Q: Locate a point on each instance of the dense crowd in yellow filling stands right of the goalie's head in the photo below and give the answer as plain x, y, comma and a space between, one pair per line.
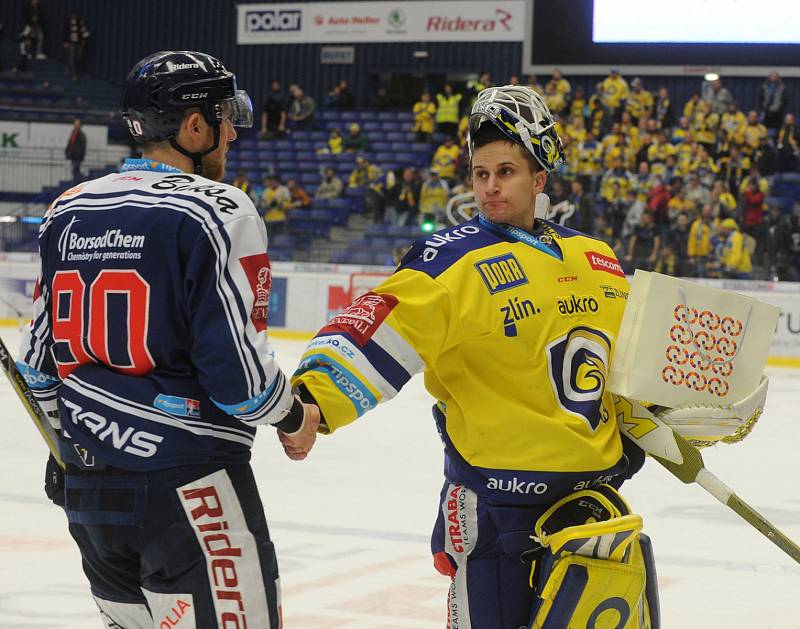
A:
679, 189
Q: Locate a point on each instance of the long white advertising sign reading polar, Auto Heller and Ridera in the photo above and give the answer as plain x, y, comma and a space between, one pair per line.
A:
385, 22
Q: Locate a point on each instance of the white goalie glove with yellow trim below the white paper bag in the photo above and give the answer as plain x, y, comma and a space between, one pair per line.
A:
706, 425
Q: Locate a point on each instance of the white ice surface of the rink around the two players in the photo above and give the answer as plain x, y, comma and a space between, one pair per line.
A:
352, 524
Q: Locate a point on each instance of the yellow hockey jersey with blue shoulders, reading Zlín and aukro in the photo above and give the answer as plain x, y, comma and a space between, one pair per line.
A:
514, 332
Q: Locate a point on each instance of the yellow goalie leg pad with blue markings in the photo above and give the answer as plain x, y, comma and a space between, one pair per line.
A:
596, 565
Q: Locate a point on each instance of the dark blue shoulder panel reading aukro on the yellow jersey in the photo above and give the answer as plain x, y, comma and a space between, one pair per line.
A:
436, 253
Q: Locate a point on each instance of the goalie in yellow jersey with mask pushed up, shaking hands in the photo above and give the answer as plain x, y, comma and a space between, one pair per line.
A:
513, 320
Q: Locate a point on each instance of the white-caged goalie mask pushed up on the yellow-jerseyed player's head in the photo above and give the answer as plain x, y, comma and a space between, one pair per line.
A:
523, 117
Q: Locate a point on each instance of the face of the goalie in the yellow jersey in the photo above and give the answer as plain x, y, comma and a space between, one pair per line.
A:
504, 185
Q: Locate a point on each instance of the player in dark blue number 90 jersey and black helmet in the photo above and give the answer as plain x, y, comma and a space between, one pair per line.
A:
149, 347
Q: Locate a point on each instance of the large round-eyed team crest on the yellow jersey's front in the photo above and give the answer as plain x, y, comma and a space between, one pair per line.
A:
578, 366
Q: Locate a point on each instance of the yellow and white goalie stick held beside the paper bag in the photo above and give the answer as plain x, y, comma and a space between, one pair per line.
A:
685, 462
